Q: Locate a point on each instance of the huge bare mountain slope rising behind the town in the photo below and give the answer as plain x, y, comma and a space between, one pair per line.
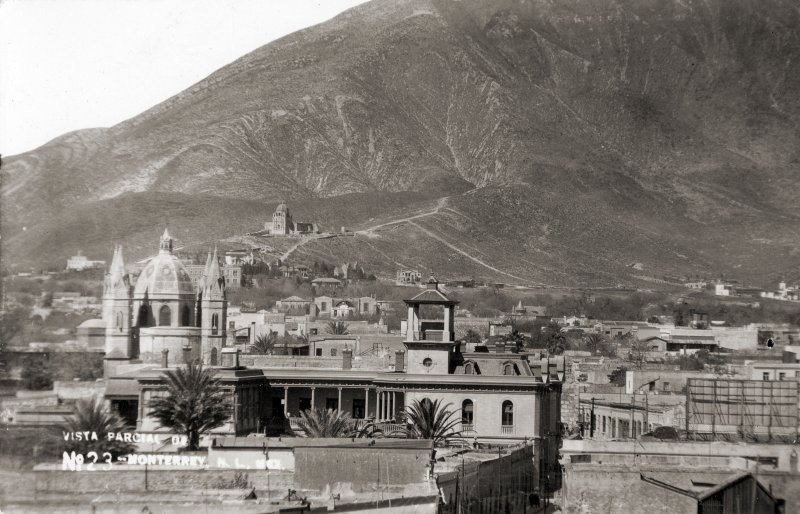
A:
572, 142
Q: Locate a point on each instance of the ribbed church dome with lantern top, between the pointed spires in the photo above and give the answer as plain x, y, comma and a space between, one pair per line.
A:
164, 275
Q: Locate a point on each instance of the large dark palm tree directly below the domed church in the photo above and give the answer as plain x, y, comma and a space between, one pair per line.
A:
195, 403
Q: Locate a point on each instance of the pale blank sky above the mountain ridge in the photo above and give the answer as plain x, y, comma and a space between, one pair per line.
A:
72, 64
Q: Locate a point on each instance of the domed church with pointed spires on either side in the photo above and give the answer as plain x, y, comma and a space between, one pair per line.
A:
163, 310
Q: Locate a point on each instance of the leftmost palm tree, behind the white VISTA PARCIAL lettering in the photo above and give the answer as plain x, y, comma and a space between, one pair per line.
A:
92, 416
